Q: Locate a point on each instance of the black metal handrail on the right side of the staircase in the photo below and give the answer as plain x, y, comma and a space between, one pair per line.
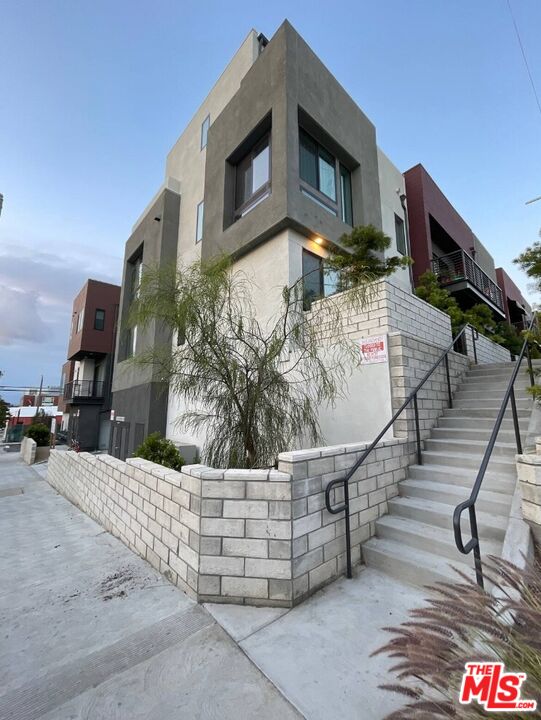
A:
469, 504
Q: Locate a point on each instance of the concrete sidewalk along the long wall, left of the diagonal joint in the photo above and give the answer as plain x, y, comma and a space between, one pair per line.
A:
90, 630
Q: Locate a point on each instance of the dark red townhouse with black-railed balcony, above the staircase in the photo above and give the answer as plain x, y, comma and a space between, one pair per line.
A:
442, 242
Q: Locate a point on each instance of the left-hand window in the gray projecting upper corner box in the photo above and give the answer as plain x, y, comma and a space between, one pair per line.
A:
252, 177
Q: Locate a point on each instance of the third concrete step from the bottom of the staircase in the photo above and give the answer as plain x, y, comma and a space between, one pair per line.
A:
490, 526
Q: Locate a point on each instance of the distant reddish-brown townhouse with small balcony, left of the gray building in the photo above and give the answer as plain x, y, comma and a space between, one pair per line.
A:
87, 374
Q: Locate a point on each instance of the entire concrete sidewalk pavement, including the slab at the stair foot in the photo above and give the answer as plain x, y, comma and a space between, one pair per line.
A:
92, 631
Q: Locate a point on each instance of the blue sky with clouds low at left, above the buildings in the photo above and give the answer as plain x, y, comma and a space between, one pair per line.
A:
93, 95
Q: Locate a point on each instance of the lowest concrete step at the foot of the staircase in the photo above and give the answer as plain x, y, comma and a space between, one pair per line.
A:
410, 565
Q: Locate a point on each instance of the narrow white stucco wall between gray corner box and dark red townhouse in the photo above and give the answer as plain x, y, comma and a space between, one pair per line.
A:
391, 180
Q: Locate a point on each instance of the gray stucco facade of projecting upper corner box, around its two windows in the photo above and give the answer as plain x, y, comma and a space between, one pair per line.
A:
287, 80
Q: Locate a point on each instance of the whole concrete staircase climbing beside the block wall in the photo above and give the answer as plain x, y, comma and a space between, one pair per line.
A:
415, 541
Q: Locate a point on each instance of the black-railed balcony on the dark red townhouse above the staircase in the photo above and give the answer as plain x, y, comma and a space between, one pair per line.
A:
459, 273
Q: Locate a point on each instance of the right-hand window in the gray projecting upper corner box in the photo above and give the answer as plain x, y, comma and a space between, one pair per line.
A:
318, 170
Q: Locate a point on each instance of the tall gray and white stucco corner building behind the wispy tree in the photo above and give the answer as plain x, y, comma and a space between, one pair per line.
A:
275, 166
